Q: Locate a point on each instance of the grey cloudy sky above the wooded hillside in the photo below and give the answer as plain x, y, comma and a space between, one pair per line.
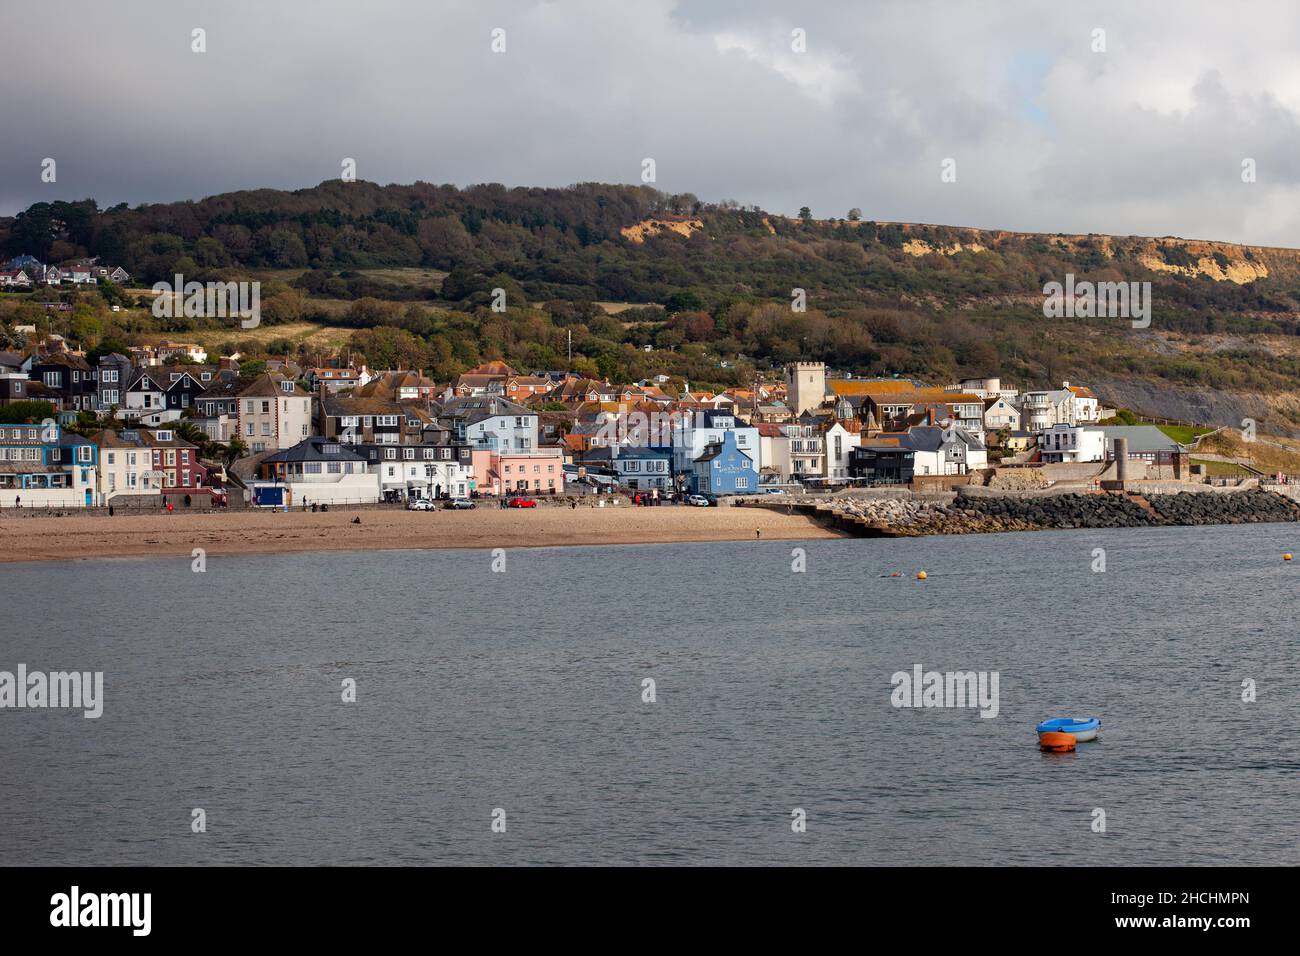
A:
1147, 137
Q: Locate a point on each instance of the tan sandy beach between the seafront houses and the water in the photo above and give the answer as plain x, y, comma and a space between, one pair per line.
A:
262, 533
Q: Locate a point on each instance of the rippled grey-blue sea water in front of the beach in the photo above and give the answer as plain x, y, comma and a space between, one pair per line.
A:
523, 691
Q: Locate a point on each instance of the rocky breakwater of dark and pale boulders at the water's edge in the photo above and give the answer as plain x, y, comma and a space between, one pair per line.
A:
973, 516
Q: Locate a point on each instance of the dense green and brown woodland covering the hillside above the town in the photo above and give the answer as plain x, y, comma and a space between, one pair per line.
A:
717, 305
